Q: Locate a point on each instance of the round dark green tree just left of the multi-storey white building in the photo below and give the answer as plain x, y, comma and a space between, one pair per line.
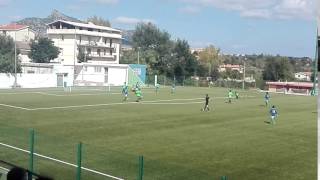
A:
43, 50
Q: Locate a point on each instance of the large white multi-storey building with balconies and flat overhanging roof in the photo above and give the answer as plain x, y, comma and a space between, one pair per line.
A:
100, 44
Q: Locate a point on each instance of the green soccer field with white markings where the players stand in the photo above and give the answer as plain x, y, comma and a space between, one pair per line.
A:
177, 139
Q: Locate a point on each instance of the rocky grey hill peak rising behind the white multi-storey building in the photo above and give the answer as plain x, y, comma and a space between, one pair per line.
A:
39, 24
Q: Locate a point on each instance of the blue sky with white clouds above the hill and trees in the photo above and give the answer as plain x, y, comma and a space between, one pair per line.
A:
284, 27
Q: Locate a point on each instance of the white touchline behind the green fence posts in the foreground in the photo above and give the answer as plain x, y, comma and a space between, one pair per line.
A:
60, 161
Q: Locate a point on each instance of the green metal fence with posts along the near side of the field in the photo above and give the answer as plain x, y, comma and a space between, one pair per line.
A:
60, 158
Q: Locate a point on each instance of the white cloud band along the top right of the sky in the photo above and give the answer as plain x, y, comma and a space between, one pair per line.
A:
267, 9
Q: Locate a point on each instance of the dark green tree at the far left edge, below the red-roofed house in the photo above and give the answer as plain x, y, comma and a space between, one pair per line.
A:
7, 55
